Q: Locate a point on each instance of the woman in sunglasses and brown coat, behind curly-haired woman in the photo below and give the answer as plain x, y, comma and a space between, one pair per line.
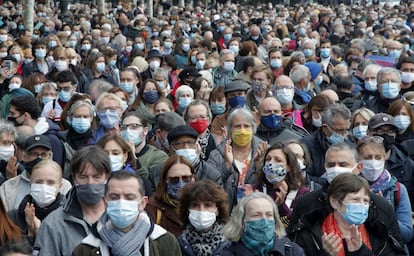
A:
162, 206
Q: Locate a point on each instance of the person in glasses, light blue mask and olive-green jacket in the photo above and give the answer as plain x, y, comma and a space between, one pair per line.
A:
134, 130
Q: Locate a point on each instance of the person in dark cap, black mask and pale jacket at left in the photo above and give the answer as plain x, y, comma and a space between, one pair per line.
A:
12, 192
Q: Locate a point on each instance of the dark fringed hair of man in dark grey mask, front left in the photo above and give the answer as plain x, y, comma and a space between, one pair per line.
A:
90, 155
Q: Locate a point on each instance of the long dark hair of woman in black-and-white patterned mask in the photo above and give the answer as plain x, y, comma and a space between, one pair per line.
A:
294, 177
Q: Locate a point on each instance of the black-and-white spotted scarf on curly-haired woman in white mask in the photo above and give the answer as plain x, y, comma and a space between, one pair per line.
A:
204, 243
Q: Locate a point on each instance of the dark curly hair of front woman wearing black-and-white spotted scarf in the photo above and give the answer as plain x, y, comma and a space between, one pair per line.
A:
203, 191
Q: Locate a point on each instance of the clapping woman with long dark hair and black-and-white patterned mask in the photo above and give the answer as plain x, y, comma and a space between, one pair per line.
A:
279, 176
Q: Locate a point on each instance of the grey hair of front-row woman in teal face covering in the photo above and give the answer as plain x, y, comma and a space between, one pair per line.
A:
233, 230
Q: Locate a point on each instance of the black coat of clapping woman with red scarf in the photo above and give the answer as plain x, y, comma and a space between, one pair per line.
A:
305, 227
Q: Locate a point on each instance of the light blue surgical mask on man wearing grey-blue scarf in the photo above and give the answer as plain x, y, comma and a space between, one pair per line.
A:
122, 213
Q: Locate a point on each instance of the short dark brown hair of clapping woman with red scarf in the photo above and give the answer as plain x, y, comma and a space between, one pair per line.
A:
346, 183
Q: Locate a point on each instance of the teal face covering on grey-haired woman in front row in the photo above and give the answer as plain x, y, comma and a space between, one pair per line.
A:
259, 235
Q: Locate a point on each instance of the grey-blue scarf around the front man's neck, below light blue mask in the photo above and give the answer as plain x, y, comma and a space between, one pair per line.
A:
122, 243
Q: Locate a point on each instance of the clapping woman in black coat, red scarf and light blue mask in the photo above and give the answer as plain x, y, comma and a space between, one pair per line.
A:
346, 219
